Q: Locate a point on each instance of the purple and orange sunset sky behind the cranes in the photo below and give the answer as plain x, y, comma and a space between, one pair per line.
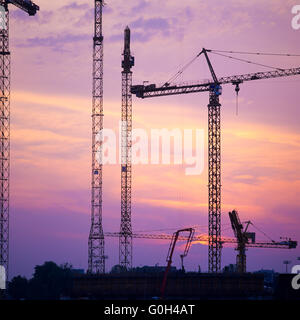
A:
51, 127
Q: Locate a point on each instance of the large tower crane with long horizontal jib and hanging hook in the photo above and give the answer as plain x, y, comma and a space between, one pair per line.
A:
214, 88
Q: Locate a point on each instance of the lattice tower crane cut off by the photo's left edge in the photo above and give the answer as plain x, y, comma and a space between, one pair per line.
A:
31, 9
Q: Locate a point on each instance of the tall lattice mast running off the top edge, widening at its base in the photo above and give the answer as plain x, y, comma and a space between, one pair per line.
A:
96, 258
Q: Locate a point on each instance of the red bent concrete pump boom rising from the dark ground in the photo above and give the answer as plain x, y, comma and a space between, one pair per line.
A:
171, 251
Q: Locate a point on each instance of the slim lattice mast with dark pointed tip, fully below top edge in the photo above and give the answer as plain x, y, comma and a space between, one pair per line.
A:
125, 239
